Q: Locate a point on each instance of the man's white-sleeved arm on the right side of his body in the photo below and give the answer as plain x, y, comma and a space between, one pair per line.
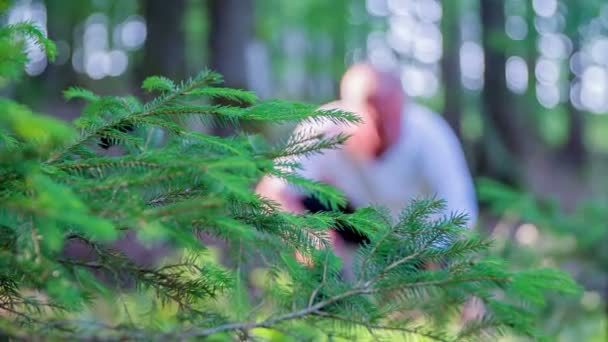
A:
446, 171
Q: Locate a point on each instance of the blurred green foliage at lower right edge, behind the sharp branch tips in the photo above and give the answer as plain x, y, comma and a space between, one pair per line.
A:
574, 240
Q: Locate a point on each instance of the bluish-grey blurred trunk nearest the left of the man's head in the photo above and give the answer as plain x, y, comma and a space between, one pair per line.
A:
230, 32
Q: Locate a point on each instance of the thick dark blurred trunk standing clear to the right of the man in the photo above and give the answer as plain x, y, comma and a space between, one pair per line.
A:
503, 138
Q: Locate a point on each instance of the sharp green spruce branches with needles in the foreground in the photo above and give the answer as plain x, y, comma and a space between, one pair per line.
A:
58, 187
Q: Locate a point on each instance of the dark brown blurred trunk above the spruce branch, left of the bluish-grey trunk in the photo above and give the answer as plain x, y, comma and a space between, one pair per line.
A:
164, 50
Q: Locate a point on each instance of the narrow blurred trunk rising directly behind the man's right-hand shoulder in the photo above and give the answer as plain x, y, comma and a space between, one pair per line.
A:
450, 64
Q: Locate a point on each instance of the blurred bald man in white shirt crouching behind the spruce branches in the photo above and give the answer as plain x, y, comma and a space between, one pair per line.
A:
400, 152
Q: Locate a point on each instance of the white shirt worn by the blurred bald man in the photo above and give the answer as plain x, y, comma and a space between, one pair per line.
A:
426, 161
